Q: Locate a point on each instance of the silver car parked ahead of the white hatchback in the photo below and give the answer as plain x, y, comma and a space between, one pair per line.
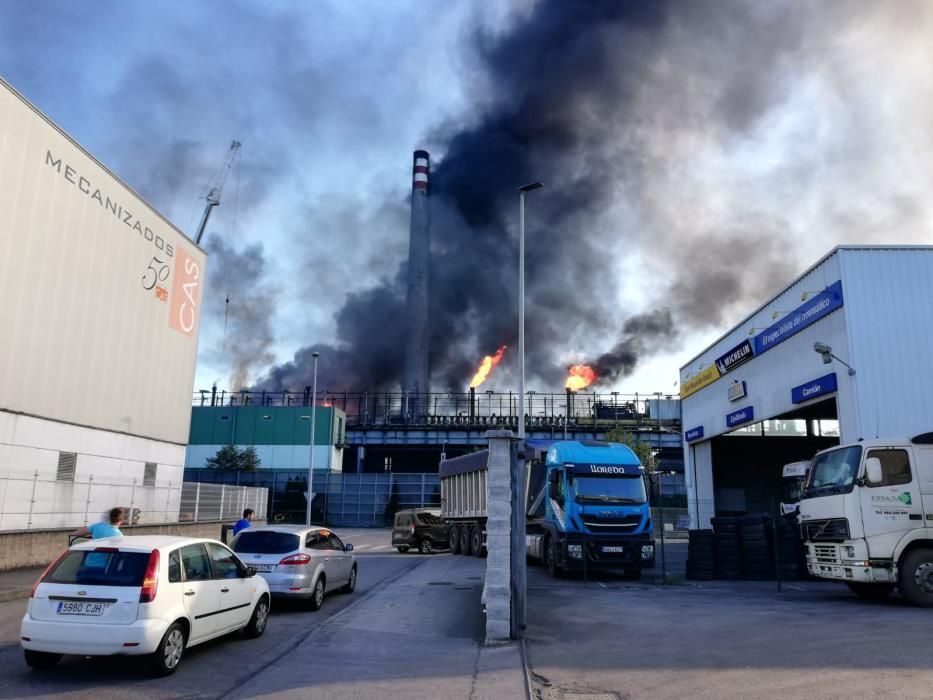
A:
298, 561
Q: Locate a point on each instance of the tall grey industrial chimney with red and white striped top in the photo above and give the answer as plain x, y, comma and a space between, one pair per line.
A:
417, 372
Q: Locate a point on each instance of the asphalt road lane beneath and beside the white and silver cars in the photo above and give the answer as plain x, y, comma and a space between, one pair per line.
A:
212, 670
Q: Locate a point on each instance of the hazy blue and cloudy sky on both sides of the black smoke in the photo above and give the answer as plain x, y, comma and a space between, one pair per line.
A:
761, 140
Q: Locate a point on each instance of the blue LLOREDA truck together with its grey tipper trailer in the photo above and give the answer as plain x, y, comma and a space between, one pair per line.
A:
587, 507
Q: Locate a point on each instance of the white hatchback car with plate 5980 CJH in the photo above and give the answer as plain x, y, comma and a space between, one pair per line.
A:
141, 595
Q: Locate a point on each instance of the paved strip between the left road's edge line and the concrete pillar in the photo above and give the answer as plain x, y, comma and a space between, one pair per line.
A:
420, 637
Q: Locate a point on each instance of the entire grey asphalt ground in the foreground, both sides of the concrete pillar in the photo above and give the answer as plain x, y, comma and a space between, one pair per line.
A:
414, 629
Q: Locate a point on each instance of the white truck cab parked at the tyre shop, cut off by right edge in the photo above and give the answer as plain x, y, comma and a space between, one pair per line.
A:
866, 517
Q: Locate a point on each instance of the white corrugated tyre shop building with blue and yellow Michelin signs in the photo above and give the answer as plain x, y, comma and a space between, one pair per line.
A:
842, 353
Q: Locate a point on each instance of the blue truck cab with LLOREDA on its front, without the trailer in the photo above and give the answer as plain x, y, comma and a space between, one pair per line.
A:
588, 507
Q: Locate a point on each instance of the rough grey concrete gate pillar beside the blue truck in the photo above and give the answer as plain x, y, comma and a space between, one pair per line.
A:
497, 591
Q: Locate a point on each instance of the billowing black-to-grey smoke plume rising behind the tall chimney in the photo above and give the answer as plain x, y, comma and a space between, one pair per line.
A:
632, 113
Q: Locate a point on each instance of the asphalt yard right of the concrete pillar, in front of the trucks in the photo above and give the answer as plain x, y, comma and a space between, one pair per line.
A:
722, 640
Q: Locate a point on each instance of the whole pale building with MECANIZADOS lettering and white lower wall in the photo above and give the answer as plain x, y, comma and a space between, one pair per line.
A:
101, 304
